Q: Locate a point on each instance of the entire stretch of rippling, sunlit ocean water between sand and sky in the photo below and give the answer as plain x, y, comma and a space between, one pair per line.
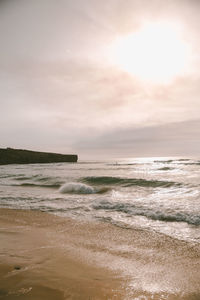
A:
156, 194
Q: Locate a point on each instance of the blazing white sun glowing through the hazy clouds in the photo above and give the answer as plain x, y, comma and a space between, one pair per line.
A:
155, 53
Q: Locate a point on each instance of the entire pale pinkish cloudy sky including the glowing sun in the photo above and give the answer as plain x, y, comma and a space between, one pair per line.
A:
102, 79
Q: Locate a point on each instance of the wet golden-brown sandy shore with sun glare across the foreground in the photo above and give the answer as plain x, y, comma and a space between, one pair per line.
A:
43, 256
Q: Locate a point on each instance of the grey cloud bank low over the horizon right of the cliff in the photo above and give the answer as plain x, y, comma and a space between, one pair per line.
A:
176, 139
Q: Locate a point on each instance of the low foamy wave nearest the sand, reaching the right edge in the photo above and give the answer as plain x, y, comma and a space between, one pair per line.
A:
148, 213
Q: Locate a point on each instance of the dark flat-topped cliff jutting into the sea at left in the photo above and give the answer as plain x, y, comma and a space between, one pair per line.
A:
18, 156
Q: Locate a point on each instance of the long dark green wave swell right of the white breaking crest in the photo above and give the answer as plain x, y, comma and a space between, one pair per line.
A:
126, 182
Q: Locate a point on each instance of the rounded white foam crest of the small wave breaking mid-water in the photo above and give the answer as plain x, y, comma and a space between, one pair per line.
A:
78, 188
